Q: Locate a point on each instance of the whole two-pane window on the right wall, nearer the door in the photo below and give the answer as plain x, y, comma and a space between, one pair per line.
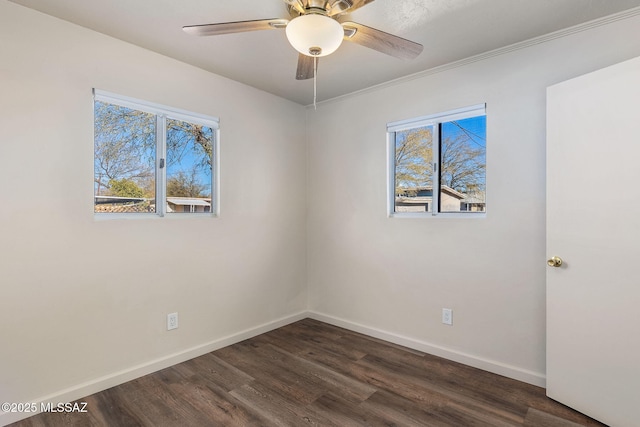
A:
446, 152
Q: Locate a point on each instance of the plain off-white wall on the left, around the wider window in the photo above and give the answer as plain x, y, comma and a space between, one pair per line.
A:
83, 303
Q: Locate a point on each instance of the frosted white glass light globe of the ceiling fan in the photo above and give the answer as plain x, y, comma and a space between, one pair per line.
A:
309, 32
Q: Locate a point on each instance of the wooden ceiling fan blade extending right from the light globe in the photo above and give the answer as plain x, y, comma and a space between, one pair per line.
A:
381, 41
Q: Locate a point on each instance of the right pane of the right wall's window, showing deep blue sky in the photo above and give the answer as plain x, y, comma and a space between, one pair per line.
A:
463, 150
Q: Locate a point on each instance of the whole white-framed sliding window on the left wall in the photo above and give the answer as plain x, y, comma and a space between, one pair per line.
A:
151, 159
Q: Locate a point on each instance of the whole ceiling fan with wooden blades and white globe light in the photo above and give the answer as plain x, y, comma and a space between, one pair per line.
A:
317, 28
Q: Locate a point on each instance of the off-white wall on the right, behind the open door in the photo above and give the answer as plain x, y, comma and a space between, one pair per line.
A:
391, 277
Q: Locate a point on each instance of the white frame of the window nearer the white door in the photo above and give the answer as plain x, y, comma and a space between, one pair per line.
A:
433, 120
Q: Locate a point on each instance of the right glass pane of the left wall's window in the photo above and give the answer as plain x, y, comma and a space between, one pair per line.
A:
189, 161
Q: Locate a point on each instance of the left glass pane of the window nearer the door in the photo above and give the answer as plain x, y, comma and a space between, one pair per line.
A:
413, 170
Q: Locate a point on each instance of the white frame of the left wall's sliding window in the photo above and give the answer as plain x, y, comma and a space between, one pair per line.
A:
162, 114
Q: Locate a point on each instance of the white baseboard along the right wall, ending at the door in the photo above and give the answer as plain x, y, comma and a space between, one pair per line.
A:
499, 368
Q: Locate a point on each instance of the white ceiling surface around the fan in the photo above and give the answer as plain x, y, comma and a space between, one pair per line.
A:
450, 30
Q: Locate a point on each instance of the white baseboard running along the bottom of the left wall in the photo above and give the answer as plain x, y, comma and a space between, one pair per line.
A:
111, 380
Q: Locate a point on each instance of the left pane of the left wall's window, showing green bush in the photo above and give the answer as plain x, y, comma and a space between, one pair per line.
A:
124, 160
